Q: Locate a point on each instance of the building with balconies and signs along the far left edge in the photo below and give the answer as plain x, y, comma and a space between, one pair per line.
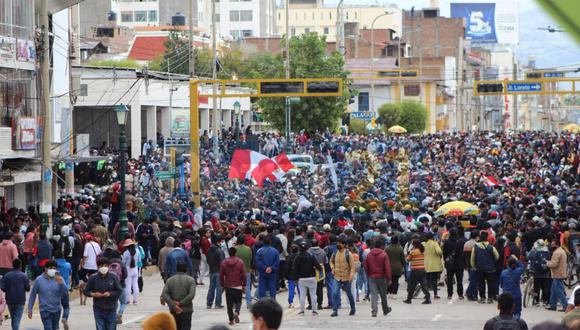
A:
19, 184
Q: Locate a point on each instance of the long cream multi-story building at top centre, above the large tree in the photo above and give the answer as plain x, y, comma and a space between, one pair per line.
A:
313, 16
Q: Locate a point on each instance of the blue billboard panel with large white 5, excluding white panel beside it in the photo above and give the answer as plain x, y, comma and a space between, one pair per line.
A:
480, 21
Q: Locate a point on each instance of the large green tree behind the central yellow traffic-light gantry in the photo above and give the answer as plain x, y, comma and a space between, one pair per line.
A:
308, 59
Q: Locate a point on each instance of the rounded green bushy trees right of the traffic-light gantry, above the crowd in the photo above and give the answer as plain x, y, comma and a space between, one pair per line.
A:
409, 114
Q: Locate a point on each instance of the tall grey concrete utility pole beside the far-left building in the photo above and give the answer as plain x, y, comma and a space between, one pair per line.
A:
46, 204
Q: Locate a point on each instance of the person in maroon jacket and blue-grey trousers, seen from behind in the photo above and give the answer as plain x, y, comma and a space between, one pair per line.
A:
378, 268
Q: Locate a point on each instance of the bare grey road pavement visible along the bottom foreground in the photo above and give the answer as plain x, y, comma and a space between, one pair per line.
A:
441, 314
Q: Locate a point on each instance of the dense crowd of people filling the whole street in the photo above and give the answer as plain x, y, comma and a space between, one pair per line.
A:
299, 235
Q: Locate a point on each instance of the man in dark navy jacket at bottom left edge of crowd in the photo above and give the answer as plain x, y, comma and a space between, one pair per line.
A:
15, 284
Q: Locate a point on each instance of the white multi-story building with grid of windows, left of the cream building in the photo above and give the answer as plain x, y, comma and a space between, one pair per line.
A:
238, 19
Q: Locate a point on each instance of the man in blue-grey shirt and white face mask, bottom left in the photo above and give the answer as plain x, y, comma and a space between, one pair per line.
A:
53, 298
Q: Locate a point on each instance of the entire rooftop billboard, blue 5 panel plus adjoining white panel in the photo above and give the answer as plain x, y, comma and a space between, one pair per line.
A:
489, 22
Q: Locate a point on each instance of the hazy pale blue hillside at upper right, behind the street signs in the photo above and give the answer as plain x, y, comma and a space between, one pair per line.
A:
550, 49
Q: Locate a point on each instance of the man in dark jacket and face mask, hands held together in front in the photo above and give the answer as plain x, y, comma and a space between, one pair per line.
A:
105, 289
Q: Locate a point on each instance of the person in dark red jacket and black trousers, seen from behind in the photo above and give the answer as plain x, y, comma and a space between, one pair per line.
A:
233, 280
